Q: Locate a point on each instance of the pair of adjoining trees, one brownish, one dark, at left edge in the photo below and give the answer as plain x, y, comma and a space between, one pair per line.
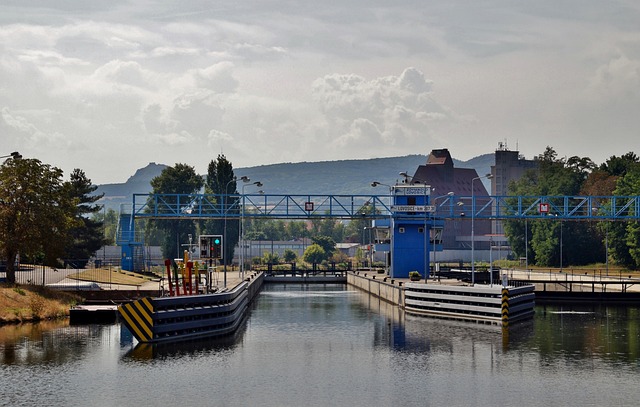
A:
45, 219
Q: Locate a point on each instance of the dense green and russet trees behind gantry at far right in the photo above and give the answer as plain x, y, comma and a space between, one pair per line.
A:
553, 244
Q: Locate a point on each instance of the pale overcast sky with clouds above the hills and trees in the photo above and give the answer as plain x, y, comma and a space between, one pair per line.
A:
109, 86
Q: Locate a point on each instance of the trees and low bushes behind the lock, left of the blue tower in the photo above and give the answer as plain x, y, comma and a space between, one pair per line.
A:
221, 180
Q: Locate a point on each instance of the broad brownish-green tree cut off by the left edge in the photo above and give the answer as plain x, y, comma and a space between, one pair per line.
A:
36, 212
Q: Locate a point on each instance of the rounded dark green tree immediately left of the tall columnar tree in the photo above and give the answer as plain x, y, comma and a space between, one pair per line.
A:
179, 179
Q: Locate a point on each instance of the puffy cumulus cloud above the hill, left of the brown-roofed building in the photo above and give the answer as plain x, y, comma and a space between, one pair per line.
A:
381, 112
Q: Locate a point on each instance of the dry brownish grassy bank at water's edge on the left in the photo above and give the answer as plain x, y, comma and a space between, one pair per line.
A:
32, 303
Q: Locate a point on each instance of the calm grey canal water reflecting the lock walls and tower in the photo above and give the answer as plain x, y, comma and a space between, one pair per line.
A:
329, 345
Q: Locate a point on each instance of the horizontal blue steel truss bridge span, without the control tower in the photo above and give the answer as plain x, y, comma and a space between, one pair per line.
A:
206, 206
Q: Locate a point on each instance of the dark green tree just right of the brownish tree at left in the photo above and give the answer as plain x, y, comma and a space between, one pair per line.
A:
88, 235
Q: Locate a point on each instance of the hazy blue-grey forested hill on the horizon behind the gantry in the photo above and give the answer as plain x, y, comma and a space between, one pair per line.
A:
344, 177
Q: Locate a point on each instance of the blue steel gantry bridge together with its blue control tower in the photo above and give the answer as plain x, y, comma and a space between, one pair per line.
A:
410, 217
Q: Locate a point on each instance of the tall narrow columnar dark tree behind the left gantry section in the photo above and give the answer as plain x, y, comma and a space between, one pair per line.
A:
222, 181
